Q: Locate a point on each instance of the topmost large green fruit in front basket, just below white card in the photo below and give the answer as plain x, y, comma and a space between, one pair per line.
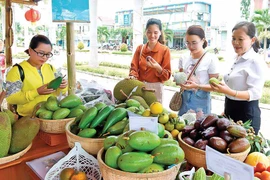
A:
143, 140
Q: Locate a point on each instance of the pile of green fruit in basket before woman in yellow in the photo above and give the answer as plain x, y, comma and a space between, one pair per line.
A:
53, 109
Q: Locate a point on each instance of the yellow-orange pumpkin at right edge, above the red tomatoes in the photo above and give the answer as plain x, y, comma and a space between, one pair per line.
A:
255, 157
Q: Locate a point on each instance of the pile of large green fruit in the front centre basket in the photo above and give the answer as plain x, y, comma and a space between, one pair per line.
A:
141, 152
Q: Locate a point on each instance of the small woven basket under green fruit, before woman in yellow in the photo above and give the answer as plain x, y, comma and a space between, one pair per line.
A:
54, 126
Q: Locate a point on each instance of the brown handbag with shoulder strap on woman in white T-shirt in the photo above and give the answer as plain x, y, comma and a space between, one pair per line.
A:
176, 101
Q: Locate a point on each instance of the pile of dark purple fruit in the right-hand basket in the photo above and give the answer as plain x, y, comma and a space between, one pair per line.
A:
218, 132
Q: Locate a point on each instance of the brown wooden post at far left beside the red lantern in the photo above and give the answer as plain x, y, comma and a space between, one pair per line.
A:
8, 33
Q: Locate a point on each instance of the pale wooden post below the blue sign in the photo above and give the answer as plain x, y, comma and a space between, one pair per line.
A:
71, 70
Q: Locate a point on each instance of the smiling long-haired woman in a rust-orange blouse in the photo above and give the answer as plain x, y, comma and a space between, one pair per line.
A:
151, 62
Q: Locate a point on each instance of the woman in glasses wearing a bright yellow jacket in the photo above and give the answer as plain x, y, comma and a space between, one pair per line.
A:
28, 91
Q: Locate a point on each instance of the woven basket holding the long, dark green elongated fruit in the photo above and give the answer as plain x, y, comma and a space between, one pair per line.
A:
90, 145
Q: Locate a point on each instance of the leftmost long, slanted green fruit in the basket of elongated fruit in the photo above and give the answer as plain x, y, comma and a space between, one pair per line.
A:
88, 117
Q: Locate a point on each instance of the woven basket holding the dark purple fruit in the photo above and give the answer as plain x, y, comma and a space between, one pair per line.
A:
196, 157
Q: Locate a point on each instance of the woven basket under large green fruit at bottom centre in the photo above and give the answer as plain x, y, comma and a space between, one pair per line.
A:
109, 173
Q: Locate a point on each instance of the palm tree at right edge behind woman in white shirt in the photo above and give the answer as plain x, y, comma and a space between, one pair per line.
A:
261, 19
